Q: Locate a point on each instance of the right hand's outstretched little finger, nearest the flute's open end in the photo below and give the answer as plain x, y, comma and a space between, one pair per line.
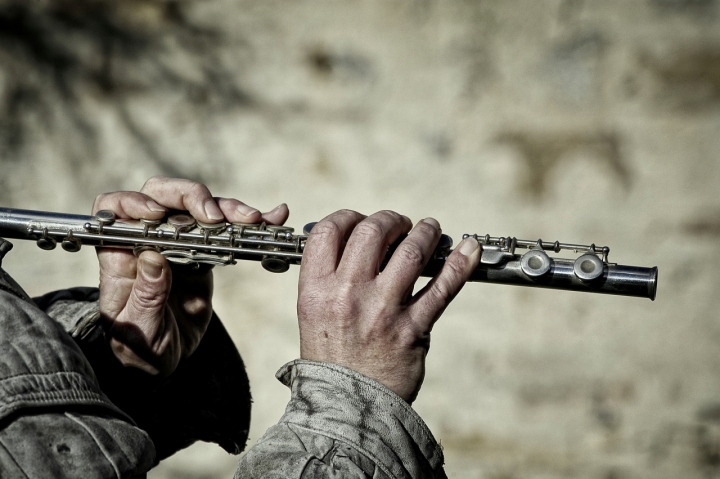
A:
429, 303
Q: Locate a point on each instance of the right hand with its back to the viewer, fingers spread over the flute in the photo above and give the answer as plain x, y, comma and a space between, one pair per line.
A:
351, 314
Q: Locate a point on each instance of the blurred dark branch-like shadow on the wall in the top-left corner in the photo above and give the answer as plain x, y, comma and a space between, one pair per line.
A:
58, 57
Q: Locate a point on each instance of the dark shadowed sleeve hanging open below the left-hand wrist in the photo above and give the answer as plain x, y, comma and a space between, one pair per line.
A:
207, 398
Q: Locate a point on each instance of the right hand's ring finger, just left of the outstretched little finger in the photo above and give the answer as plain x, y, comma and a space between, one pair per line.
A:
409, 259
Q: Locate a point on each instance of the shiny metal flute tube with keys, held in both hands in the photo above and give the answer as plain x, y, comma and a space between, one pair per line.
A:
48, 228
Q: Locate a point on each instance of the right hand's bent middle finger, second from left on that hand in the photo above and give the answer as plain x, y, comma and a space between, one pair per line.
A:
368, 244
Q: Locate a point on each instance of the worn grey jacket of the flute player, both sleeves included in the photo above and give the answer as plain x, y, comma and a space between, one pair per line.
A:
69, 409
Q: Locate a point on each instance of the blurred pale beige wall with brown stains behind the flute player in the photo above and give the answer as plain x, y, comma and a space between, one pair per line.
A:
562, 119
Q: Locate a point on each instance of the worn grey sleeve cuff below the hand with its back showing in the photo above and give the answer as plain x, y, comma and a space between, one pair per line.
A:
341, 424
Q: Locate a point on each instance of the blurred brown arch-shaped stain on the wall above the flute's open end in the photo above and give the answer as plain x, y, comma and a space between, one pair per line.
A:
541, 152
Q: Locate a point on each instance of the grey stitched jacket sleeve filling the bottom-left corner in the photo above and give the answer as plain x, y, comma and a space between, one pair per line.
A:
55, 421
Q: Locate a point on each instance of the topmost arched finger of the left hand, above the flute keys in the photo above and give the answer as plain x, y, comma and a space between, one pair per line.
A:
181, 194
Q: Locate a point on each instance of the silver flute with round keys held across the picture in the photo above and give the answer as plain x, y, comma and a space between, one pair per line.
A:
184, 240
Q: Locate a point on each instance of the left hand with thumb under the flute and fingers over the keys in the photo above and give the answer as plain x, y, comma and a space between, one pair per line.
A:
155, 315
